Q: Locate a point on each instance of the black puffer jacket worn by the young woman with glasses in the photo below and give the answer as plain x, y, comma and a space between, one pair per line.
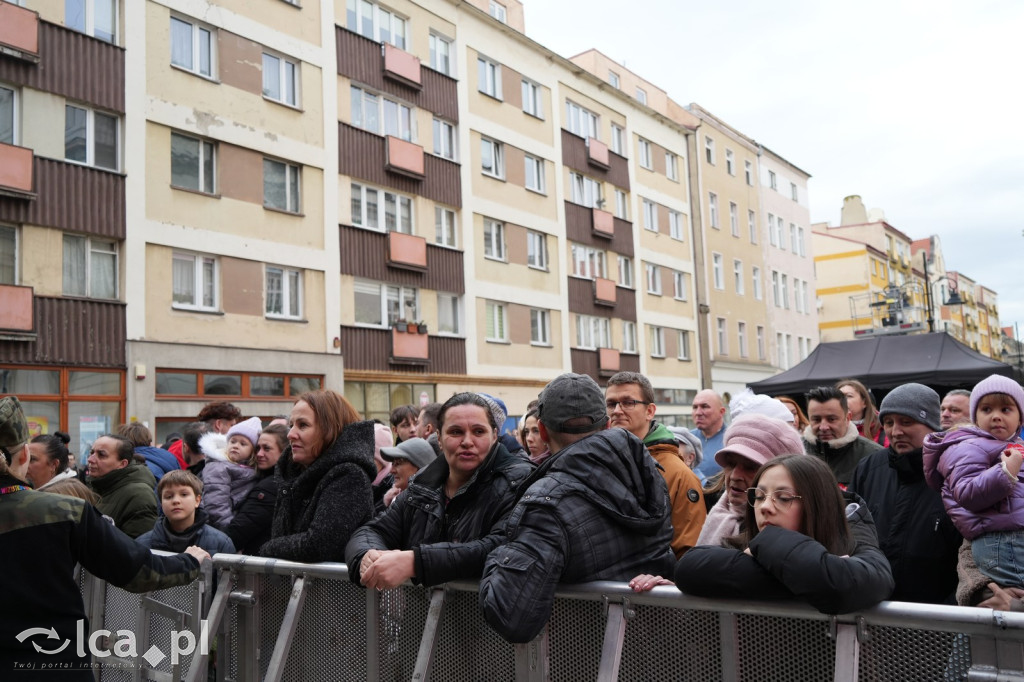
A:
787, 565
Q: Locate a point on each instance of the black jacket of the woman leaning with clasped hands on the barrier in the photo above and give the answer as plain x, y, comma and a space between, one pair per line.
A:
449, 543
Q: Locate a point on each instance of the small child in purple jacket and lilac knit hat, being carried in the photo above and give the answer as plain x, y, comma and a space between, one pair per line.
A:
977, 468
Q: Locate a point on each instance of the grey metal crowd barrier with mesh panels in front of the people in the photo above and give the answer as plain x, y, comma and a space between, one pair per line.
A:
285, 621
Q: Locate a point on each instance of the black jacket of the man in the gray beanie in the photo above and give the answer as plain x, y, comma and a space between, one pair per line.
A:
915, 531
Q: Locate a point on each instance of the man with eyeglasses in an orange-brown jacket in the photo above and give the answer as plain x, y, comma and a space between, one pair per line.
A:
630, 401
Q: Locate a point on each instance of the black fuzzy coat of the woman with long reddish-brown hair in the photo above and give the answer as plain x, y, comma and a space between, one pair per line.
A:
320, 507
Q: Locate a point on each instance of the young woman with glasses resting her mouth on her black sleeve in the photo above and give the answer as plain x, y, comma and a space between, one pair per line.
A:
802, 539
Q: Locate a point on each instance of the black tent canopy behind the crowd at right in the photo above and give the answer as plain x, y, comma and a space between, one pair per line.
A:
887, 362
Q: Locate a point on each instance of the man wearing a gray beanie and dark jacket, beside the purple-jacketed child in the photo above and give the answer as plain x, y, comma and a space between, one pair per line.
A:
915, 532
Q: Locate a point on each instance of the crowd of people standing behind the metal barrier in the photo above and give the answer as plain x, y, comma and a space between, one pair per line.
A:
843, 506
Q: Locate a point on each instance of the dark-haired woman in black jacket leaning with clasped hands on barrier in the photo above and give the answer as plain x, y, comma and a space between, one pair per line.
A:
444, 526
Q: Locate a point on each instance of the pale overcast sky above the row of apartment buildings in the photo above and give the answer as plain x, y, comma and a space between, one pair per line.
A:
917, 107
